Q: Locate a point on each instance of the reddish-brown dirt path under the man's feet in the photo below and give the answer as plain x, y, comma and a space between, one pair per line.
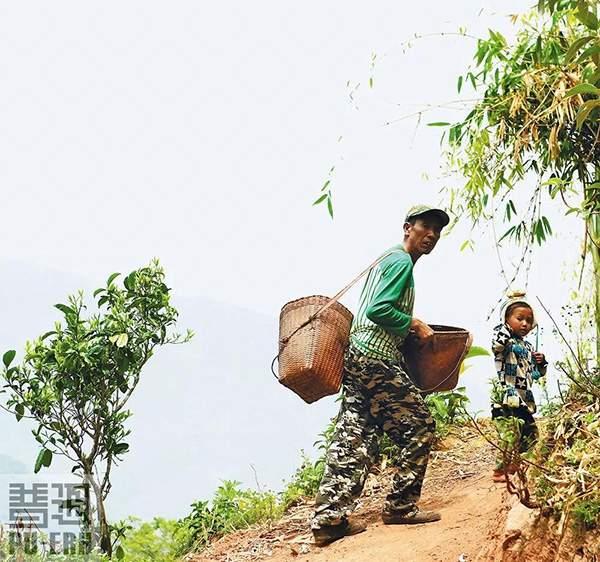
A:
458, 484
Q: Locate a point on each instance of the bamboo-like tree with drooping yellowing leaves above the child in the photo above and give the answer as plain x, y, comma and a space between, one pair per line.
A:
534, 127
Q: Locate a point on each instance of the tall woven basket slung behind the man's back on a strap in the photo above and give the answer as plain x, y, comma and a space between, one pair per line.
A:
311, 358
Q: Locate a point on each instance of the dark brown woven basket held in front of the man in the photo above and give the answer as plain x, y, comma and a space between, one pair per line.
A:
435, 365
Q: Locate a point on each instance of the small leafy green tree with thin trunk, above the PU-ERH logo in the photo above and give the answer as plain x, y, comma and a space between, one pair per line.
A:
75, 382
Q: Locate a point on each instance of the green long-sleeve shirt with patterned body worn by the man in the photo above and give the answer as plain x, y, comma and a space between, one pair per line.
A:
385, 308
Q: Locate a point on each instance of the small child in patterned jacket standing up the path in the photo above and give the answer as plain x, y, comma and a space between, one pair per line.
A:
517, 366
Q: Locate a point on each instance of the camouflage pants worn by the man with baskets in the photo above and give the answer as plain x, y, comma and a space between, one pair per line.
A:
378, 396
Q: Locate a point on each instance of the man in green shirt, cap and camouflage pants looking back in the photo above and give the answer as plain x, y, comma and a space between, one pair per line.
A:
378, 394
